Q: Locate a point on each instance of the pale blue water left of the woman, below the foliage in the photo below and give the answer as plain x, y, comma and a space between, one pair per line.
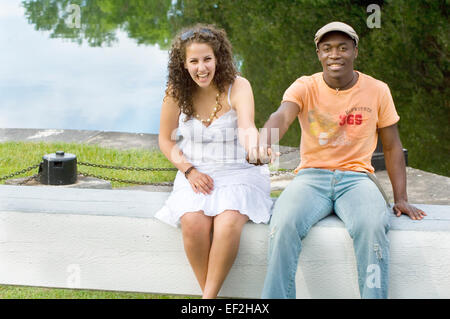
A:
55, 83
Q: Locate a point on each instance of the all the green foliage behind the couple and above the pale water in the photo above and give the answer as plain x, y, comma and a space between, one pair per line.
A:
273, 42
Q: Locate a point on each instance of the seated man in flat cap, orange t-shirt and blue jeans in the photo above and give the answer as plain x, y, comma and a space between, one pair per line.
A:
341, 112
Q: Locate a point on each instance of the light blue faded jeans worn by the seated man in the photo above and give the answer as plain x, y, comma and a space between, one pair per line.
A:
312, 195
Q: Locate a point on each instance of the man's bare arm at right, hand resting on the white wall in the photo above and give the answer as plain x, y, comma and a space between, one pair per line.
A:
395, 165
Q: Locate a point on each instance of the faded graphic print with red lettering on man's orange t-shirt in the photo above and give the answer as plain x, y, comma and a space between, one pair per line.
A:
340, 129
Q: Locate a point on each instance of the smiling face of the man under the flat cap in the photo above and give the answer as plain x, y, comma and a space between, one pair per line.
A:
336, 52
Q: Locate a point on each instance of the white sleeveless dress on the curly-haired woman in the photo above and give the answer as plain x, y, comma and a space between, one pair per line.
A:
216, 151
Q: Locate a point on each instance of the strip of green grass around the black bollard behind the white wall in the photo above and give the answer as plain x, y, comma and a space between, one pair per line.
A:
15, 156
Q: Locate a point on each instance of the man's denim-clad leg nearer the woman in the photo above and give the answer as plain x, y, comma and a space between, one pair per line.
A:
302, 204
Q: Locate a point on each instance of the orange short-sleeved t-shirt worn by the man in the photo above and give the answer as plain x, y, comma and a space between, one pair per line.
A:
339, 128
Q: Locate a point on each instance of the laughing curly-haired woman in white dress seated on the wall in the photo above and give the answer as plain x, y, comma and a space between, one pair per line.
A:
216, 191
